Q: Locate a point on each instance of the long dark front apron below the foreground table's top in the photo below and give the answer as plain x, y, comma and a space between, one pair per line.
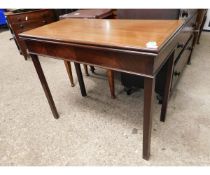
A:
126, 61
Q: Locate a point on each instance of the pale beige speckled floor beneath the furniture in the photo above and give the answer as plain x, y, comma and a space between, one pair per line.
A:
98, 130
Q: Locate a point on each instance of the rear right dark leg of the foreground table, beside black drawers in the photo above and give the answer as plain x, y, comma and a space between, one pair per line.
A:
169, 74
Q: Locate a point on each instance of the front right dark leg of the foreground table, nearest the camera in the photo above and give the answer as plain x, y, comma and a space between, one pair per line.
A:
149, 84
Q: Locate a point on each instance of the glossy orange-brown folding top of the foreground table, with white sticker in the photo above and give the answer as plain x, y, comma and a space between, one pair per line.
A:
123, 34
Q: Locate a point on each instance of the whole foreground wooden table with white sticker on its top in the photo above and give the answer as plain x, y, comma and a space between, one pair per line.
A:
114, 44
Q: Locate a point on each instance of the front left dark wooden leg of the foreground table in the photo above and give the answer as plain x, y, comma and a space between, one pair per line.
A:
45, 87
